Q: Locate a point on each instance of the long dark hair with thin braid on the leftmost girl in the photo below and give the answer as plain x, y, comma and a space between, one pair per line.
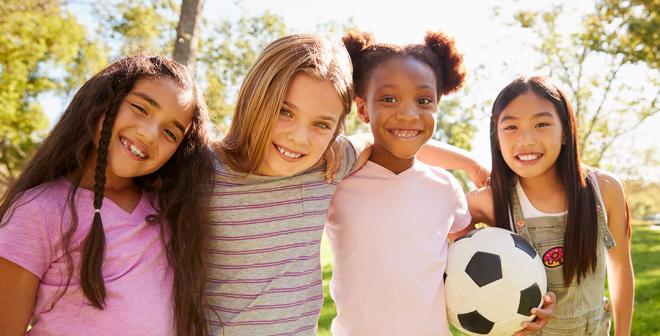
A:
179, 195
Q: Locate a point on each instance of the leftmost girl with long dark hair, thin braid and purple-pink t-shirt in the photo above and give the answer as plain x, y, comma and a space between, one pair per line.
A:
102, 232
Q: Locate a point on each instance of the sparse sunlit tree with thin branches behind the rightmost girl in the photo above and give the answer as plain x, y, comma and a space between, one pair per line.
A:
596, 76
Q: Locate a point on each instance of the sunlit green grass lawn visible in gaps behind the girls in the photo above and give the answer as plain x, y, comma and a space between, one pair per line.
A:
646, 260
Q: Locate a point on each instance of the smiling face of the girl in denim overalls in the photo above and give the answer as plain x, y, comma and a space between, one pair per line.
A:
530, 135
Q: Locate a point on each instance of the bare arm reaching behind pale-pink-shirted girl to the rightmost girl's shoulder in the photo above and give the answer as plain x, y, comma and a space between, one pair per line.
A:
436, 153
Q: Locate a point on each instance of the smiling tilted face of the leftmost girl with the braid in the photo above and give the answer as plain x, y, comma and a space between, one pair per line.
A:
150, 124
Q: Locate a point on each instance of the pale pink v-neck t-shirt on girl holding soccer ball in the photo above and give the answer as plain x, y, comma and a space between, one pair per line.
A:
388, 234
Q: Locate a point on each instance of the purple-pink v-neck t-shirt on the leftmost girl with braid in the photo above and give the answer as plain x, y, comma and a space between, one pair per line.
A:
137, 276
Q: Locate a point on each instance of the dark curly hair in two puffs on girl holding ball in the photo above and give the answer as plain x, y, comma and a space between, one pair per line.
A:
438, 52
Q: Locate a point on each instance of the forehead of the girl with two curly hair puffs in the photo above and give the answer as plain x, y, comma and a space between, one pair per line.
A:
402, 70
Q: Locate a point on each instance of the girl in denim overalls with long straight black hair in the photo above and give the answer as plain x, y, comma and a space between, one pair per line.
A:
575, 217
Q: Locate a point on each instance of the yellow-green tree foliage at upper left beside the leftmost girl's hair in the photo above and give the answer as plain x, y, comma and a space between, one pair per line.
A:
43, 49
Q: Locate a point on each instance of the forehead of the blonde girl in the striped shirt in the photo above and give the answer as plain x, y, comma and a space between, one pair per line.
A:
313, 96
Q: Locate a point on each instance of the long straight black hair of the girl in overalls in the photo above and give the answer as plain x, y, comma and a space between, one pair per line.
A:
580, 238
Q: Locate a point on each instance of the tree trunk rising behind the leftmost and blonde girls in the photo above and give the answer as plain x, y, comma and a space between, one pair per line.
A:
185, 45
